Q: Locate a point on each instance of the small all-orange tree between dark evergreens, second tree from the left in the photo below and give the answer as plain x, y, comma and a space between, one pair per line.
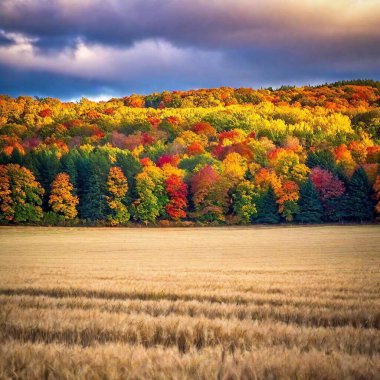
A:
62, 200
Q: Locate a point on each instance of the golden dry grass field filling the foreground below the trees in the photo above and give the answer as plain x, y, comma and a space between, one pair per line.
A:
208, 303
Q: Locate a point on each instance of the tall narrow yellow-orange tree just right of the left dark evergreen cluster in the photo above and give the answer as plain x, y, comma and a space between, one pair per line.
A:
117, 186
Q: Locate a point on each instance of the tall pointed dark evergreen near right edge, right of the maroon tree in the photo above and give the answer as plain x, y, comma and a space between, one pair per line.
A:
359, 197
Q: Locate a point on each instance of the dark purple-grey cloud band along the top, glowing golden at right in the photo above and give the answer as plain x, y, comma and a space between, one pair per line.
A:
210, 24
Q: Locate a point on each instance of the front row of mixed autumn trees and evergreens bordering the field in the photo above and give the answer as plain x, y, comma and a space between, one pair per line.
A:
111, 186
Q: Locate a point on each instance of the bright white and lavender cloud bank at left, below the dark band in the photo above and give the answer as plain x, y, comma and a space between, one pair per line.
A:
146, 59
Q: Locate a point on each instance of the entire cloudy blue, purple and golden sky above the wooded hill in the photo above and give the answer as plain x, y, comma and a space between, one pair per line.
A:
105, 48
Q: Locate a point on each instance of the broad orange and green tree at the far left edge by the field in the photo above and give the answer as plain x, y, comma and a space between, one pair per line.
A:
20, 195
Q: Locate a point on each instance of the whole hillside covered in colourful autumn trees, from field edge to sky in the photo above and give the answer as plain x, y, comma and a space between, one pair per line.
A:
209, 156
